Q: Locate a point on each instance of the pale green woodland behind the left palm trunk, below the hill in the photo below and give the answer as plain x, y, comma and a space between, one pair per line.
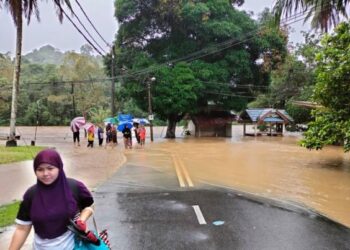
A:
44, 98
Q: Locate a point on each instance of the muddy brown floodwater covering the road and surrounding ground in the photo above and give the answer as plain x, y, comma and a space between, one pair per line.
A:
275, 167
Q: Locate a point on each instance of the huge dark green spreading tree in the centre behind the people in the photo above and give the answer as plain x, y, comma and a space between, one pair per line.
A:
219, 44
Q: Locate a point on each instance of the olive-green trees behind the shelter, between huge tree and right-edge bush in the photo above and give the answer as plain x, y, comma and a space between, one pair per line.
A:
292, 80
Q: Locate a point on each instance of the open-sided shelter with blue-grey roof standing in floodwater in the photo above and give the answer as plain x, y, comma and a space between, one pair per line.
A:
269, 121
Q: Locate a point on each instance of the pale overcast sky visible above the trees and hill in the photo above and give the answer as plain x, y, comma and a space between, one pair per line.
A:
101, 12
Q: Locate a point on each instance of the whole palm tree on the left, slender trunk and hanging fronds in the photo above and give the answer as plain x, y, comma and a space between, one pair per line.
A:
17, 9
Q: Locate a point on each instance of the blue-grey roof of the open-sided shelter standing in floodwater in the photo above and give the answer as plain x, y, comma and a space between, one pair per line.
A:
266, 115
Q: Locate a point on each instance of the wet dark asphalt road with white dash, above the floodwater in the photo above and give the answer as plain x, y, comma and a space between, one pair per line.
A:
144, 208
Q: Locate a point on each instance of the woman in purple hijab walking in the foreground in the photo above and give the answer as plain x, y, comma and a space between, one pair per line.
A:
50, 204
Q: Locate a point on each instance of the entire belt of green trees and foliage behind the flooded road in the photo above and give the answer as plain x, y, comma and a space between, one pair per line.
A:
194, 56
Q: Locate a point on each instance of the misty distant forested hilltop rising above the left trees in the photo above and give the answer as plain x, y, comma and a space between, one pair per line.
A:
45, 55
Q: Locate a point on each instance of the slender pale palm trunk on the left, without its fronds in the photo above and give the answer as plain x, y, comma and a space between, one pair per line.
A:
16, 74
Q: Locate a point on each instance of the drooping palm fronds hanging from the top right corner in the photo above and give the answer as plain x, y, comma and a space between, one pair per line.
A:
325, 14
